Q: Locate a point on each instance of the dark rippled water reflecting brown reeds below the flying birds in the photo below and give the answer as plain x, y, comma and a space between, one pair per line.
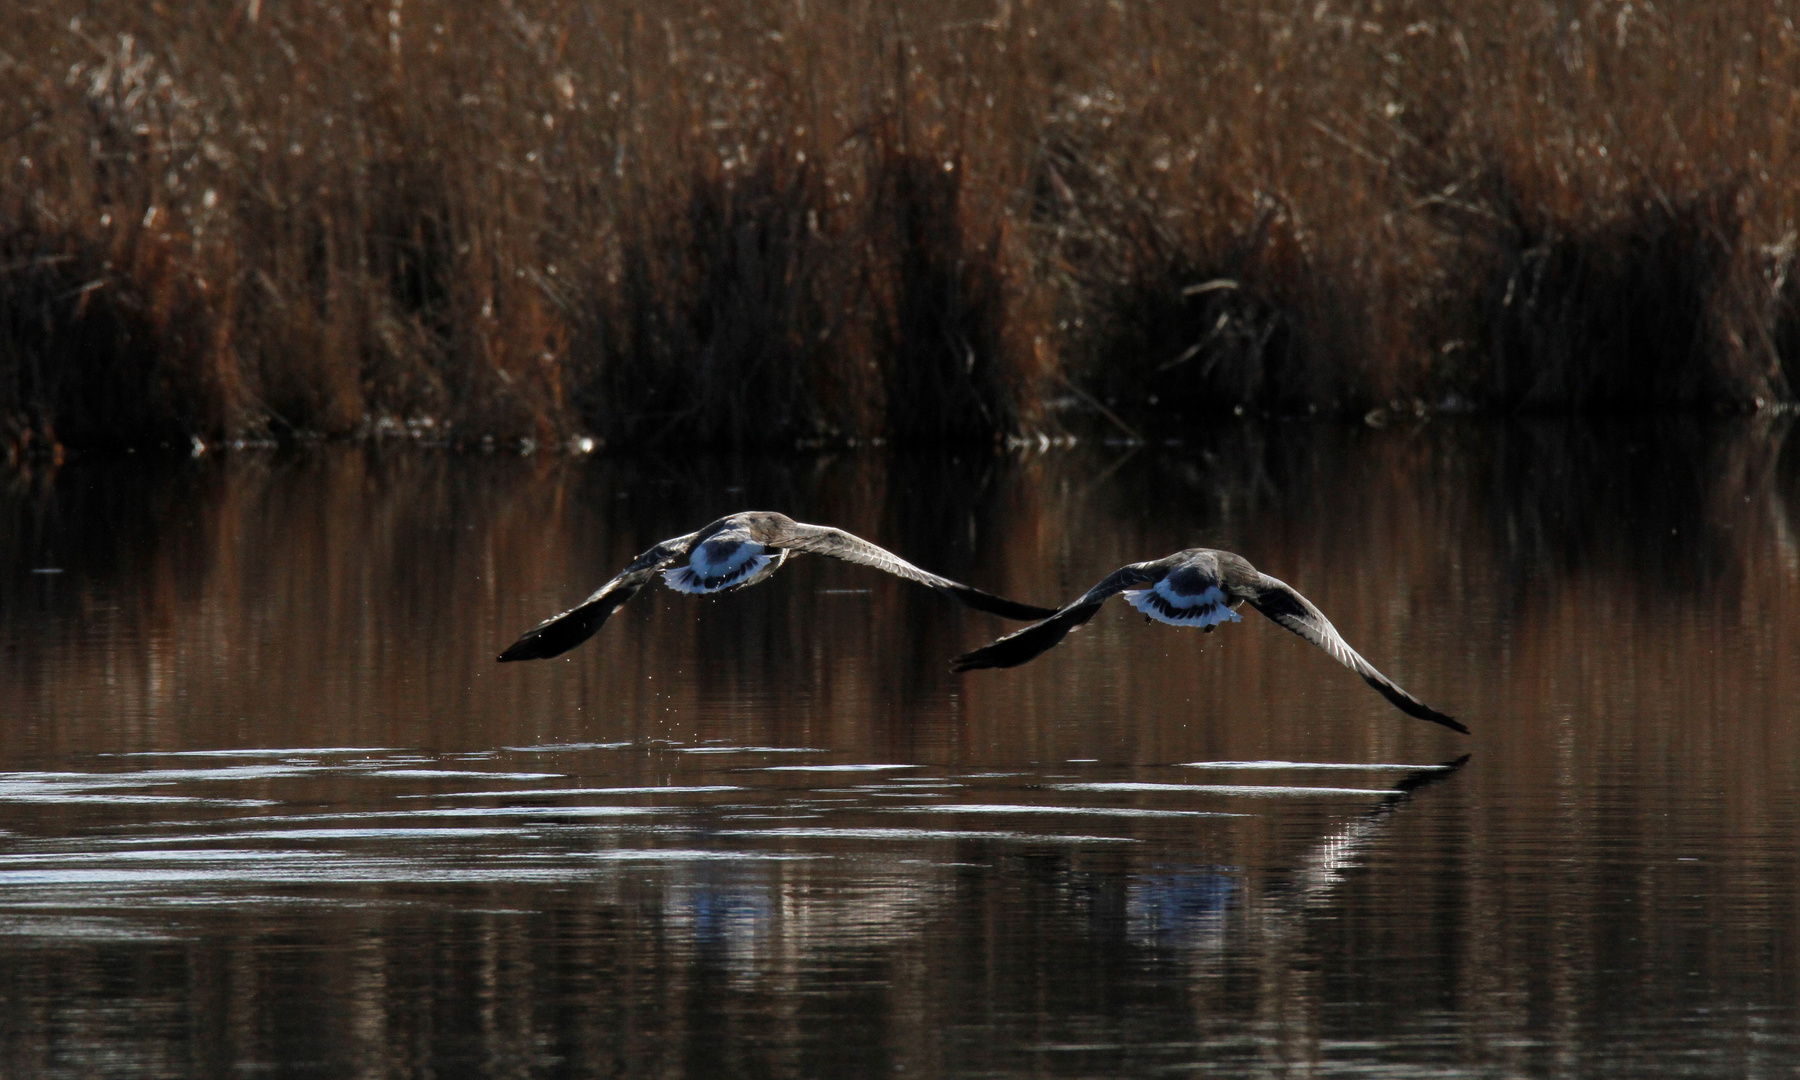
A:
267, 805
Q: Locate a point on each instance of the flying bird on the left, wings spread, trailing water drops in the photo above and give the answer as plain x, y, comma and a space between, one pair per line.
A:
732, 553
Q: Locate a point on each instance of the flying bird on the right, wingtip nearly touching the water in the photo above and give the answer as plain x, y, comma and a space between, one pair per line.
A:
1198, 588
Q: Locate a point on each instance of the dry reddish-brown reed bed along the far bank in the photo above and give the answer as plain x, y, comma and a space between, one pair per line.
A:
928, 222
